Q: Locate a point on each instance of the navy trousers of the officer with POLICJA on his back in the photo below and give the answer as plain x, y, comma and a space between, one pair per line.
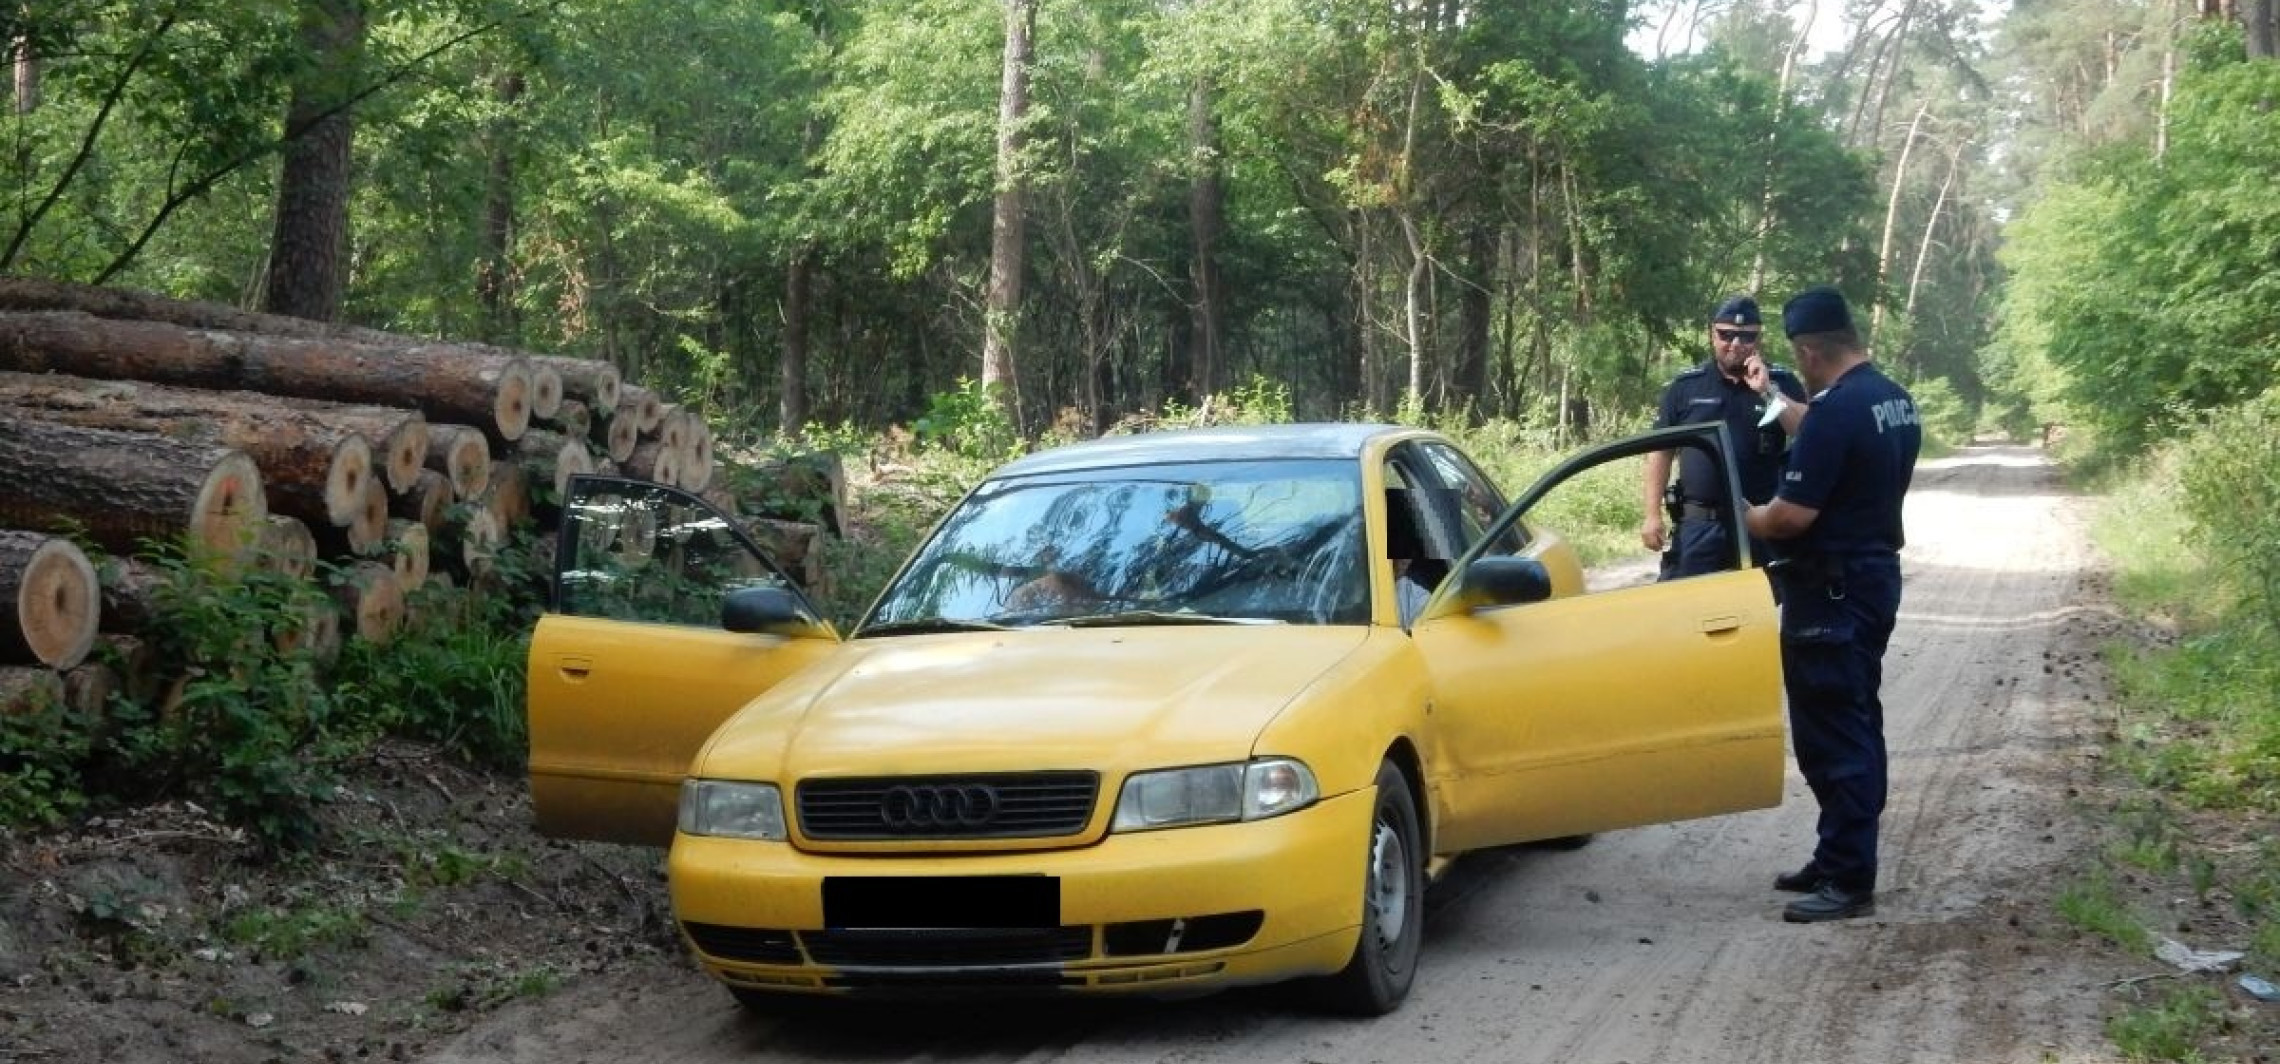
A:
1834, 628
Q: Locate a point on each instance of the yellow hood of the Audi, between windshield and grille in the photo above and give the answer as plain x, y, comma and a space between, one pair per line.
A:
1111, 701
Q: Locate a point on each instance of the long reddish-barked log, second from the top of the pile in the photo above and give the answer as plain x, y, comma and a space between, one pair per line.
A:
443, 382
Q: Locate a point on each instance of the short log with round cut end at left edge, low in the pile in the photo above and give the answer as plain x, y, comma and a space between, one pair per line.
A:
49, 600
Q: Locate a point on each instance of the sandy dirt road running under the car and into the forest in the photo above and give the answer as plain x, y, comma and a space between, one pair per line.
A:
1656, 944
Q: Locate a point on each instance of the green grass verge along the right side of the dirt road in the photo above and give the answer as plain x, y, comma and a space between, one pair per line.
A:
2197, 732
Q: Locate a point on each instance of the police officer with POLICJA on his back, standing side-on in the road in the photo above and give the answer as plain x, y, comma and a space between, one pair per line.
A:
1837, 521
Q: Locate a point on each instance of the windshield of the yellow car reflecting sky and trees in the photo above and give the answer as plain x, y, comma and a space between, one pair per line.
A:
1146, 546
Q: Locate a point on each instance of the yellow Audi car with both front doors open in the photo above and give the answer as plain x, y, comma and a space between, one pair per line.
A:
1150, 714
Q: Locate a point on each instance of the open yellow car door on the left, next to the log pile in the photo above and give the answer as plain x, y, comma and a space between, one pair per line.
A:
635, 666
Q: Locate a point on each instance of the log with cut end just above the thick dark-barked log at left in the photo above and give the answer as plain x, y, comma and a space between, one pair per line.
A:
311, 470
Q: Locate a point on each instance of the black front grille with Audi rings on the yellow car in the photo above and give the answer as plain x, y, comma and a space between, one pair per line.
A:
1007, 805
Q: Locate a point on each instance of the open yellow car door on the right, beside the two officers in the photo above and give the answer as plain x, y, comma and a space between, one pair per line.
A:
1570, 707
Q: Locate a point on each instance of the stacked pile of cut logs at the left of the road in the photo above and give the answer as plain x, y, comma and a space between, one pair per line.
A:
277, 443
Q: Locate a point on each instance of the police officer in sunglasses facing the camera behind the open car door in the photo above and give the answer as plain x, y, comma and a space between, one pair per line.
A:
1718, 391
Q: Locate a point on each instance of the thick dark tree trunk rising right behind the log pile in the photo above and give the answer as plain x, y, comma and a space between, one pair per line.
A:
311, 249
